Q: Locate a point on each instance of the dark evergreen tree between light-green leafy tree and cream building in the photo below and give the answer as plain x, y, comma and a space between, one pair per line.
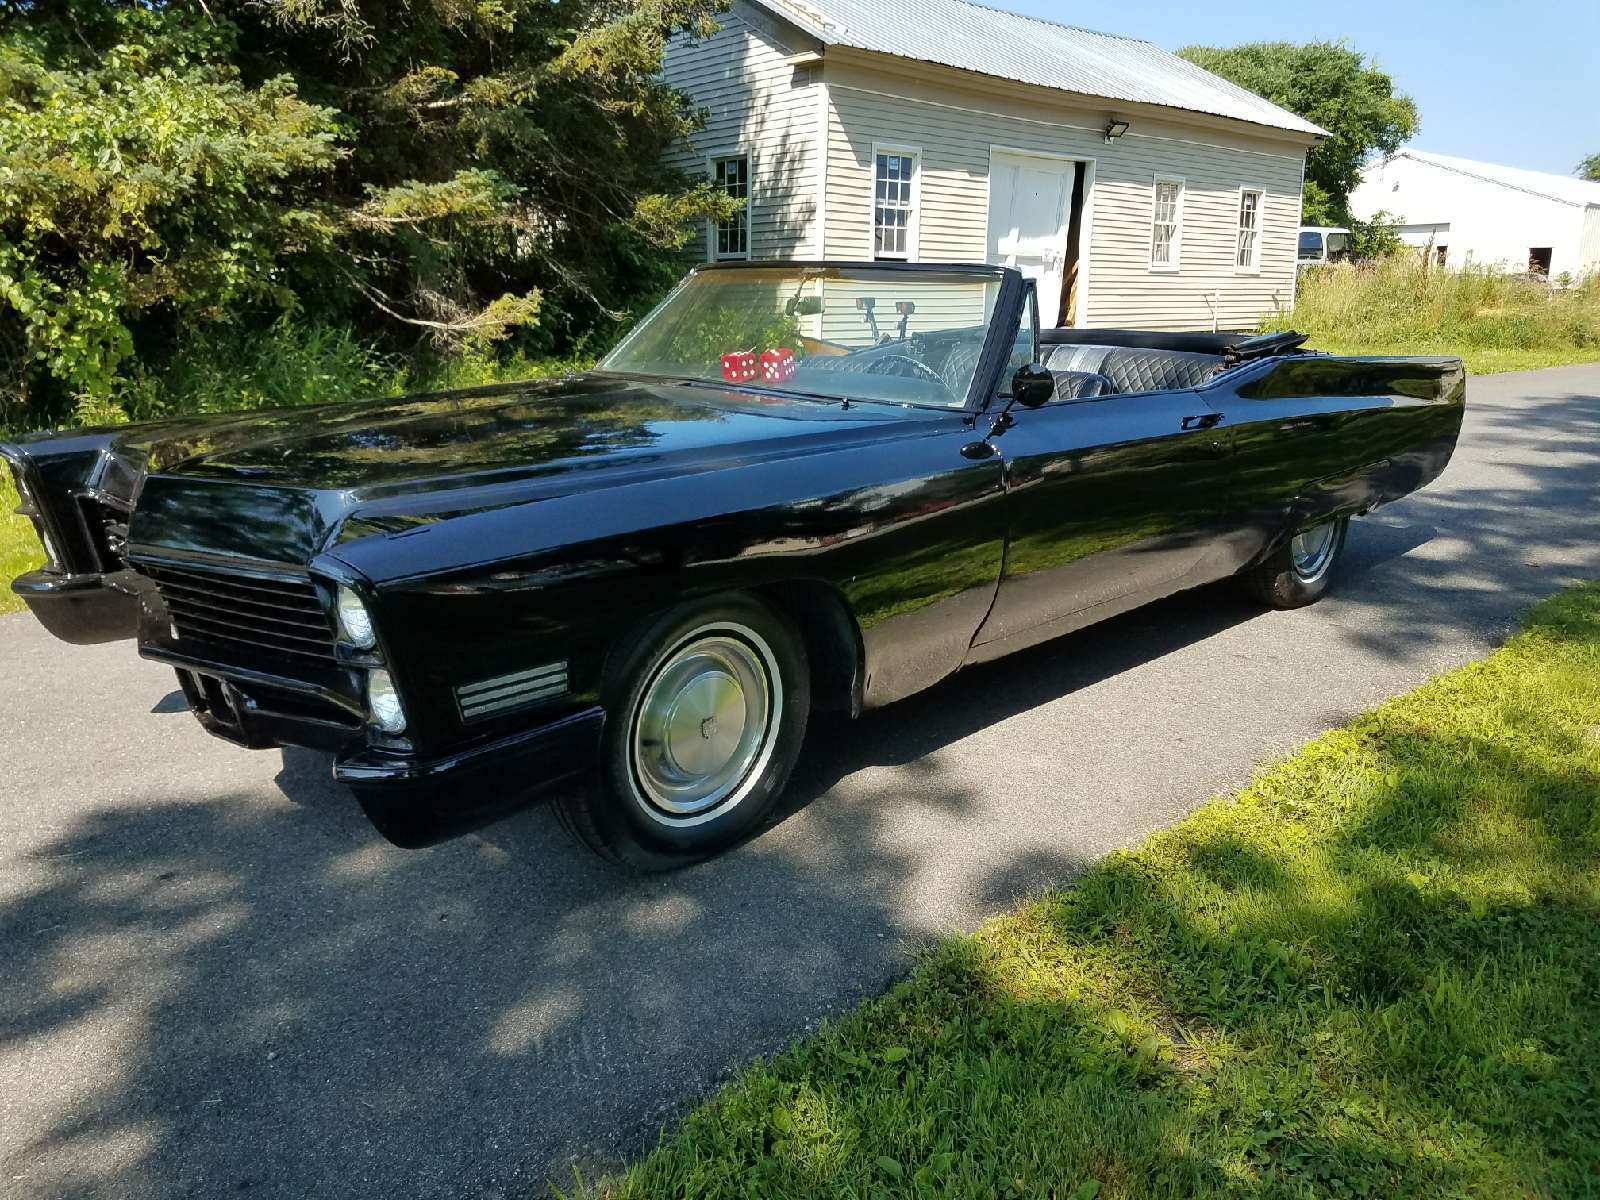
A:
505, 156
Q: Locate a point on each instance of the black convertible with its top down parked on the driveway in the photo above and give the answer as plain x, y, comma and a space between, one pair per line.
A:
793, 487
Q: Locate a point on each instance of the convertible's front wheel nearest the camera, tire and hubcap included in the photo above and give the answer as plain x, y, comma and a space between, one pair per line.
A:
706, 710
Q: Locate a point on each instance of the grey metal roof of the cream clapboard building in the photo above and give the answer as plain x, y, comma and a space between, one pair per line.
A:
1030, 50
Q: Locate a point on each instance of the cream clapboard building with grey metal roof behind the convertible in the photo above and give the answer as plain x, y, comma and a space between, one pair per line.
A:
1137, 188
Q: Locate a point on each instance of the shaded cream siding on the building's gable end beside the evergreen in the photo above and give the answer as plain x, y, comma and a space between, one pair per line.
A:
754, 103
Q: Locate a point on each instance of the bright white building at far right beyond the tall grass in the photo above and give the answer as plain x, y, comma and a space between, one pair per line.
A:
1470, 212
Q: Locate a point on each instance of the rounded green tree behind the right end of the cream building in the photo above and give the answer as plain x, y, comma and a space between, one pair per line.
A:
1335, 87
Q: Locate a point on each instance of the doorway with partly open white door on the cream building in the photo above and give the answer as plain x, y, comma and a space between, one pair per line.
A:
1036, 218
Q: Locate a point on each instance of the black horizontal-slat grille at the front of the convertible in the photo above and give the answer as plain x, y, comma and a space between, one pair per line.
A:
284, 617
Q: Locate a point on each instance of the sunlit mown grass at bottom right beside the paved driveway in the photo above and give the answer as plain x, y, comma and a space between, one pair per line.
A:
1374, 972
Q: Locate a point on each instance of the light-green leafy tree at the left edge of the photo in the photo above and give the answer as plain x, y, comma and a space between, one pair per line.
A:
138, 178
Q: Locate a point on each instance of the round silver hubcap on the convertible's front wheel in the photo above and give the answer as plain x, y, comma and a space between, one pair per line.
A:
705, 724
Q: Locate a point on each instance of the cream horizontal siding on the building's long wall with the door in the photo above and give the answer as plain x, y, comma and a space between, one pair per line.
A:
954, 196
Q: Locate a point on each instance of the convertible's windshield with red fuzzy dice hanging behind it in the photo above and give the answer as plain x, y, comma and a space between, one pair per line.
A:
902, 337
